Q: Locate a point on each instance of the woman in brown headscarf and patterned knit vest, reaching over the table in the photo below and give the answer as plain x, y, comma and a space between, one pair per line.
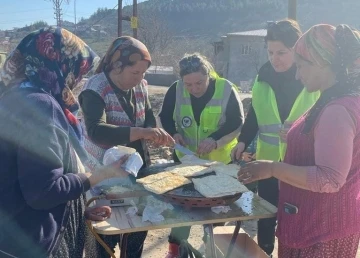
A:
117, 111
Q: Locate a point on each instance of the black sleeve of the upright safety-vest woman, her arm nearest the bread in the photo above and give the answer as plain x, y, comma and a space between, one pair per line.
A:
250, 128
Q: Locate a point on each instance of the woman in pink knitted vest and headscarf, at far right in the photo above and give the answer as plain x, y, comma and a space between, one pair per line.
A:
319, 206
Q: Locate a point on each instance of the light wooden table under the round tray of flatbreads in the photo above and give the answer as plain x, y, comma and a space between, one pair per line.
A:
248, 207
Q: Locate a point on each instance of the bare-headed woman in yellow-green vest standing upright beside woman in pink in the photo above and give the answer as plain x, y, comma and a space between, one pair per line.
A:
278, 99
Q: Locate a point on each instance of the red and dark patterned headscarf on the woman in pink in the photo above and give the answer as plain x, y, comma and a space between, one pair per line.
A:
338, 47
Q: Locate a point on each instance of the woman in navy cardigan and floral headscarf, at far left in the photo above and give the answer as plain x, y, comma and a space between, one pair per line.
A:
42, 180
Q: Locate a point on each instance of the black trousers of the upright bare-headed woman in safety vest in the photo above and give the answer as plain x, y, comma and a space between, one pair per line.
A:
269, 190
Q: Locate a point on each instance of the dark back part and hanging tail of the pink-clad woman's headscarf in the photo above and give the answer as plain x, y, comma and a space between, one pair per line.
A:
347, 43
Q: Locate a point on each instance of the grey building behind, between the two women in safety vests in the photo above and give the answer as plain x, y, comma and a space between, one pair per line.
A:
239, 56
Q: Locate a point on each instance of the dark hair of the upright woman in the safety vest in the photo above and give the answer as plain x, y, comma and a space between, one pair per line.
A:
286, 31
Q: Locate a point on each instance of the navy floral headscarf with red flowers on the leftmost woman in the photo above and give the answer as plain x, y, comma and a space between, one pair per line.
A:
51, 59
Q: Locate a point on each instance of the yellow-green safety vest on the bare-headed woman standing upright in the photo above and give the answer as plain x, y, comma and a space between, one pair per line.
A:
270, 146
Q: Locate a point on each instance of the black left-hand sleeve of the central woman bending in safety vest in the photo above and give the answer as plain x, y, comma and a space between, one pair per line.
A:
167, 111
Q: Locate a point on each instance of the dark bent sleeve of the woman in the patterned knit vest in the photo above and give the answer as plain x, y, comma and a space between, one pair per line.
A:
93, 109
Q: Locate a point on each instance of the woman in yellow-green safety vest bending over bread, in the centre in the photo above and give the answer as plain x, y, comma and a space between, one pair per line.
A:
204, 113
